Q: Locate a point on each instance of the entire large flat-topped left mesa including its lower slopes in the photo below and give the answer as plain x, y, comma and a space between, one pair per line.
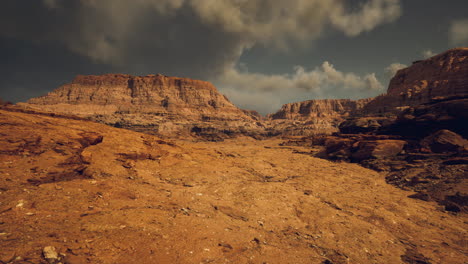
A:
154, 104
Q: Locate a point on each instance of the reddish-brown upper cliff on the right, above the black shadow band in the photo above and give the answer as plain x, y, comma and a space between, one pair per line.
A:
441, 77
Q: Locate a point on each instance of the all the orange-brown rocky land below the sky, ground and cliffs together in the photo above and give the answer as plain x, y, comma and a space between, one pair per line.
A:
378, 180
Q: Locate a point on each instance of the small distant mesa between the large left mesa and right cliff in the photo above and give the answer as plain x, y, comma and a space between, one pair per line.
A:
313, 117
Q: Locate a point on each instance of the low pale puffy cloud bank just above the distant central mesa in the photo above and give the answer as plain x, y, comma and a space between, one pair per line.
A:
268, 92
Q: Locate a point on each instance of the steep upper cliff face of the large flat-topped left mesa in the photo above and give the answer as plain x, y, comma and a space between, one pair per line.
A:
153, 93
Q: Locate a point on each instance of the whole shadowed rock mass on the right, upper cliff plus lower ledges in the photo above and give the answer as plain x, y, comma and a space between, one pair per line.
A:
415, 134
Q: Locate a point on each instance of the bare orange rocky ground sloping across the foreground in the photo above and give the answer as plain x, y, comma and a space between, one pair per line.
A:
75, 191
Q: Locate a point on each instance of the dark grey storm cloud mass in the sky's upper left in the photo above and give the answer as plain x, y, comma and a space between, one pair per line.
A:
124, 34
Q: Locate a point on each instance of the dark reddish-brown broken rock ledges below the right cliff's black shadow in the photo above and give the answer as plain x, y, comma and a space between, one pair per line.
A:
434, 167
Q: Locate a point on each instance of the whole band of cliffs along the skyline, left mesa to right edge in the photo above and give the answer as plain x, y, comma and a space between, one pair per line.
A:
175, 106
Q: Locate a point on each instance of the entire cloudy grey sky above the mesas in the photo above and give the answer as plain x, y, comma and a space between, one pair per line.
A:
259, 53
